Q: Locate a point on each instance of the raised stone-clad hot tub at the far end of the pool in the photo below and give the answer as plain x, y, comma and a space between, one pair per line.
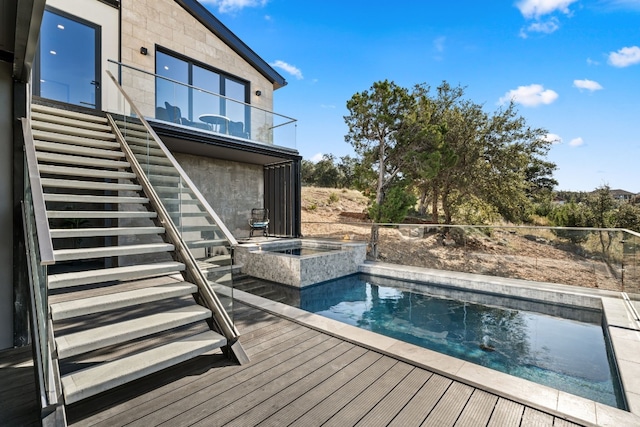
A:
298, 262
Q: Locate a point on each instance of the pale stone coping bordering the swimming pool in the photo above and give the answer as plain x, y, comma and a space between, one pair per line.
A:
623, 329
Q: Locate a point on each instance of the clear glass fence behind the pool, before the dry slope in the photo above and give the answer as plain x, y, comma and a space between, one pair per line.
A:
589, 257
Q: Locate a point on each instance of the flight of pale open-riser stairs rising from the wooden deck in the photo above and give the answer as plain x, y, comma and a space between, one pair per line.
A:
120, 307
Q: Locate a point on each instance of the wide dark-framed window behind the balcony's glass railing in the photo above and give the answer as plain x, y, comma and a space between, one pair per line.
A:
220, 106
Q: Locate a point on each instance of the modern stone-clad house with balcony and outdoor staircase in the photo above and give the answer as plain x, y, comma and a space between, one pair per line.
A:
139, 135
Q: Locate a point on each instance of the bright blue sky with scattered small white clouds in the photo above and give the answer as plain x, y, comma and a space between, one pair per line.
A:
573, 67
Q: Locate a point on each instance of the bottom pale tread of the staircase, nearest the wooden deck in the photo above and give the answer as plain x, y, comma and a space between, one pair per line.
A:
93, 380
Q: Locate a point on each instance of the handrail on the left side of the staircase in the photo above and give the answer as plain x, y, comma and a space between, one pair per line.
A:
45, 244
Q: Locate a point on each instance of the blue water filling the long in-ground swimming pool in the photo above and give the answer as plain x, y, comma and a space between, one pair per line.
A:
568, 354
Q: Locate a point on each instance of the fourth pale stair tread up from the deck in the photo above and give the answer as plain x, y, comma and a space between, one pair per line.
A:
64, 280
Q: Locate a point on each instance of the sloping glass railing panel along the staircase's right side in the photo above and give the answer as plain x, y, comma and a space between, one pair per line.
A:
203, 235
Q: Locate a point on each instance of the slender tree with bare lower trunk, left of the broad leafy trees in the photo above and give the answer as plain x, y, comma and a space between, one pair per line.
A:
375, 117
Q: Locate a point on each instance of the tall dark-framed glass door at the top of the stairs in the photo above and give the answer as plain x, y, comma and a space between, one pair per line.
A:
67, 65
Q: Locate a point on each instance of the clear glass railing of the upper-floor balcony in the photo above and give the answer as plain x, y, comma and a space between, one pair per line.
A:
163, 99
